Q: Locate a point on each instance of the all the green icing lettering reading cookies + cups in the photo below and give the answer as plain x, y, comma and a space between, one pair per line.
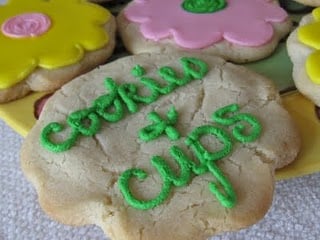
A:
110, 107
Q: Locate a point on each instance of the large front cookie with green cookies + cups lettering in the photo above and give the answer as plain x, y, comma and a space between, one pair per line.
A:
149, 139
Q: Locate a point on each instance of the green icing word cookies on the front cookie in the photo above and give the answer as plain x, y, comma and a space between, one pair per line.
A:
110, 107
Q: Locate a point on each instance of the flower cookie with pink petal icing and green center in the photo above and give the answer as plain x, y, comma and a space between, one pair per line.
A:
237, 30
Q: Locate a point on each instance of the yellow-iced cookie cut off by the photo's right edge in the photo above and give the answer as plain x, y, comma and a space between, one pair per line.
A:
304, 50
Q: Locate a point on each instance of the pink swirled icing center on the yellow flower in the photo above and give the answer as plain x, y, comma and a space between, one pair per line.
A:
26, 25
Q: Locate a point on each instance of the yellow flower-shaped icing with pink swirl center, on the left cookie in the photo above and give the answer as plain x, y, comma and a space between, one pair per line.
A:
47, 34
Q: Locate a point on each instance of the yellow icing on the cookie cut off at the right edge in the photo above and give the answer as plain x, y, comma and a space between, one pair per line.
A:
309, 34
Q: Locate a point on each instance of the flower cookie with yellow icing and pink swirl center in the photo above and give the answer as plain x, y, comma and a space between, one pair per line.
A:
45, 44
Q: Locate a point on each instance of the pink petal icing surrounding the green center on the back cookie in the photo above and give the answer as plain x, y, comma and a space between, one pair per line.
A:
243, 22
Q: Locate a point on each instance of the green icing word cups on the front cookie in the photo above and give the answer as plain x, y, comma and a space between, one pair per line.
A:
221, 188
